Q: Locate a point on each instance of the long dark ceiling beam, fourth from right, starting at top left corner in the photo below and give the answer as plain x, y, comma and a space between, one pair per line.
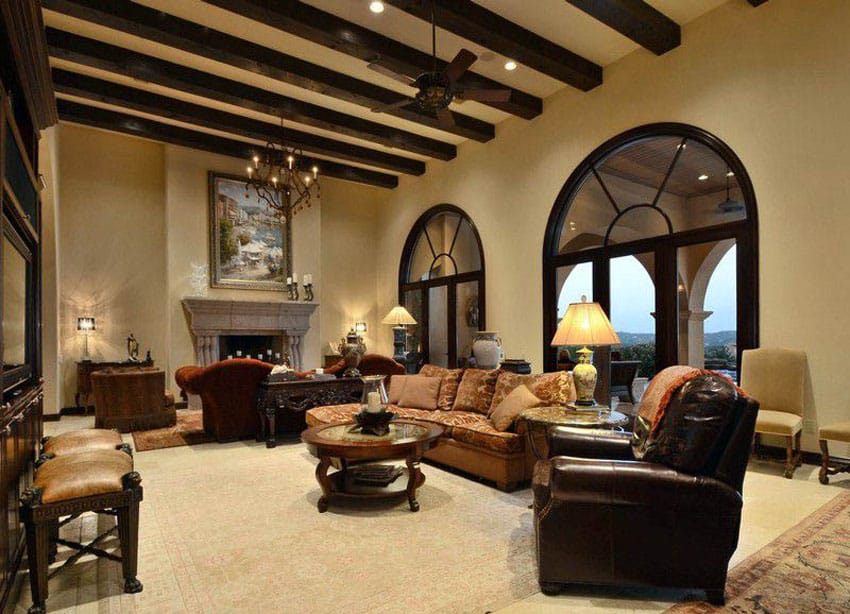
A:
165, 29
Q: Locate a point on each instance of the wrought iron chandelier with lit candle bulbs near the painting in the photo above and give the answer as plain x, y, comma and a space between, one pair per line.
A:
279, 179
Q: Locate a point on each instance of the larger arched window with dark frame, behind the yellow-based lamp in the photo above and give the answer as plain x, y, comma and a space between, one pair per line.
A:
659, 226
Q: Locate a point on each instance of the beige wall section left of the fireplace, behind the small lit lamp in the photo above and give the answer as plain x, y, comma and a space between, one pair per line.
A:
111, 246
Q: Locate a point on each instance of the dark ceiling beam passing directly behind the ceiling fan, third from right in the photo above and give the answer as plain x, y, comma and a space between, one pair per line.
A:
328, 30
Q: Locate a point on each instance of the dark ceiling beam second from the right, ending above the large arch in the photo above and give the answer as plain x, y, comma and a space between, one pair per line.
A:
475, 23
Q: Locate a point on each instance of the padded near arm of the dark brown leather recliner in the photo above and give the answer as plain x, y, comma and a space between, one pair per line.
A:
632, 483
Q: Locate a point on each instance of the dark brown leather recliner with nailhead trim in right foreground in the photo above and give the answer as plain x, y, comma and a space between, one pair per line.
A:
604, 518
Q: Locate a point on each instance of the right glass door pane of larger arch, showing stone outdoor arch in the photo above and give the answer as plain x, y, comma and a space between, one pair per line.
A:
708, 306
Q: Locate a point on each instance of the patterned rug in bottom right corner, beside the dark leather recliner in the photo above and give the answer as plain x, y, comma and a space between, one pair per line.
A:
807, 569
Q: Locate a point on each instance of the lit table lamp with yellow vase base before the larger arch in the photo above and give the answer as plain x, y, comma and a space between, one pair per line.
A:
585, 324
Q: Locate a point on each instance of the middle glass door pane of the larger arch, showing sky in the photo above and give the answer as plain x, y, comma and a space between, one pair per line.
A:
633, 316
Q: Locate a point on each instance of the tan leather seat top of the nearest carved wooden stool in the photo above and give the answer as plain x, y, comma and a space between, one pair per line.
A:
84, 474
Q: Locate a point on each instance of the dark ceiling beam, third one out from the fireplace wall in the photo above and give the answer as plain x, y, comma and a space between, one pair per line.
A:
81, 50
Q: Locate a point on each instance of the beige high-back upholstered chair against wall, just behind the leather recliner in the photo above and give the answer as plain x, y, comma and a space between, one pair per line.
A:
775, 377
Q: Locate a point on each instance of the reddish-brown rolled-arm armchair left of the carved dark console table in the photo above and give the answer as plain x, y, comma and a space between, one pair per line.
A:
228, 391
